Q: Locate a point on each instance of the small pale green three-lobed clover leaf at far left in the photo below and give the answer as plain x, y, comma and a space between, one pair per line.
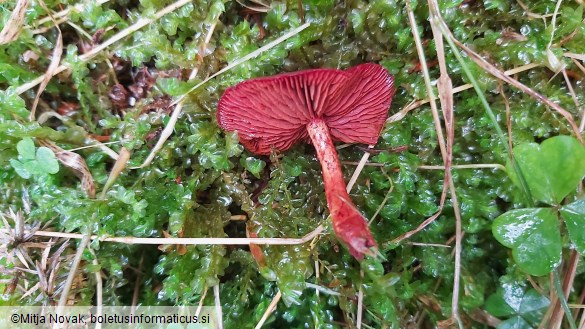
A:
34, 161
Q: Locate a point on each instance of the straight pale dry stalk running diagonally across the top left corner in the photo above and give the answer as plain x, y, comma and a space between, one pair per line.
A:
140, 23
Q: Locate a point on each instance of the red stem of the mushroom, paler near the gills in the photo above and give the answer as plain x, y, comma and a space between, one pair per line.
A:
349, 224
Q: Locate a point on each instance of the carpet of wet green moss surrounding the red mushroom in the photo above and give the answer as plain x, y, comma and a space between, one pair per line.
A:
202, 177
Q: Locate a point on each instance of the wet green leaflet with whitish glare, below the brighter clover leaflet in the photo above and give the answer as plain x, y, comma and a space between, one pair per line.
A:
534, 236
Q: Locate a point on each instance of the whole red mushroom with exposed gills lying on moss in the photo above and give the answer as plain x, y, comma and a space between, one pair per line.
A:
323, 105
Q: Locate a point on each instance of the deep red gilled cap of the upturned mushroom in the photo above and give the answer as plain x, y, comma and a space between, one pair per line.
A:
273, 112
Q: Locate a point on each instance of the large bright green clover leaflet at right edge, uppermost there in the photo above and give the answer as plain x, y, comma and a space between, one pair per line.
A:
552, 169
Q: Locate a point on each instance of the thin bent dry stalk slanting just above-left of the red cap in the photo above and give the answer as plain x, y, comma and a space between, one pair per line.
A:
168, 131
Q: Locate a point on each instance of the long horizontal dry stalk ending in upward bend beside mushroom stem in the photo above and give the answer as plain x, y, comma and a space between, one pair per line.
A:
185, 241
